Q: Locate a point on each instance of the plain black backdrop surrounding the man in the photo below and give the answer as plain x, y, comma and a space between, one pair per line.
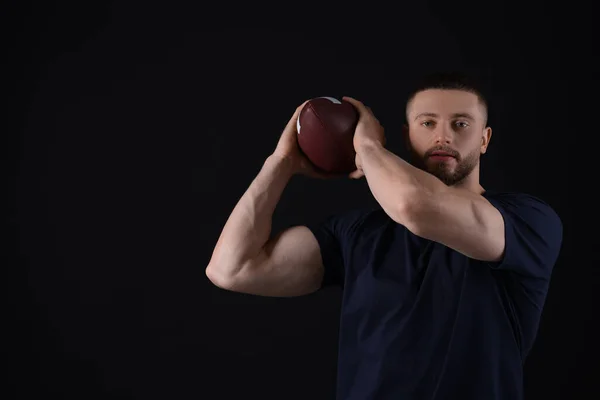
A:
137, 127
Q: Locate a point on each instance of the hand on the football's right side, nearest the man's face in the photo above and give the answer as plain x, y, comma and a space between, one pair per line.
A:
368, 132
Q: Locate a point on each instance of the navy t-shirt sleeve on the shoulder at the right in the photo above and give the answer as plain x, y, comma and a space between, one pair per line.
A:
533, 235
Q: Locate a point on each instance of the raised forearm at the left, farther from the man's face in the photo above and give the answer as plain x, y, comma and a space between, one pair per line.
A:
248, 228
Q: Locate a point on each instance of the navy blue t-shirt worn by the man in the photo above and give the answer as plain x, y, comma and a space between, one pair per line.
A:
422, 321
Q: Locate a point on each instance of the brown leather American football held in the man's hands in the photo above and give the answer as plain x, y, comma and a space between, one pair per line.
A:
325, 133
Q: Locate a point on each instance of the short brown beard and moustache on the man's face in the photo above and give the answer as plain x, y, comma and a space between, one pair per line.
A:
442, 170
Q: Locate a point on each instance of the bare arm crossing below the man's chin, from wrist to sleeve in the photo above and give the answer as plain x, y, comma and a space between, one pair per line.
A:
464, 221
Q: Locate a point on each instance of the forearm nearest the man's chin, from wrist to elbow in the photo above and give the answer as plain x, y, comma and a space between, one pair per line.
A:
398, 187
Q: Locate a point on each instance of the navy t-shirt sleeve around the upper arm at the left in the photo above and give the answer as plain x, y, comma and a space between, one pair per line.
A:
335, 235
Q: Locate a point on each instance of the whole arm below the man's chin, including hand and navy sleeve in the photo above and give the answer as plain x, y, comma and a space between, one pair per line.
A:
518, 233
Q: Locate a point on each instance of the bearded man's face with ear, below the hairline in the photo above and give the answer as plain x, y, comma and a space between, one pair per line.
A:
447, 133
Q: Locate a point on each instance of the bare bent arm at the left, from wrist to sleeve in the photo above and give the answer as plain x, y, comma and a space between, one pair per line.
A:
246, 260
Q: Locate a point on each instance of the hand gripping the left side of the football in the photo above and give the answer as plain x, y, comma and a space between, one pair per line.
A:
289, 150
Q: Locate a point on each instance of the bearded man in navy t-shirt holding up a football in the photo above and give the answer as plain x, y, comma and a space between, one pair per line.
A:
443, 284
